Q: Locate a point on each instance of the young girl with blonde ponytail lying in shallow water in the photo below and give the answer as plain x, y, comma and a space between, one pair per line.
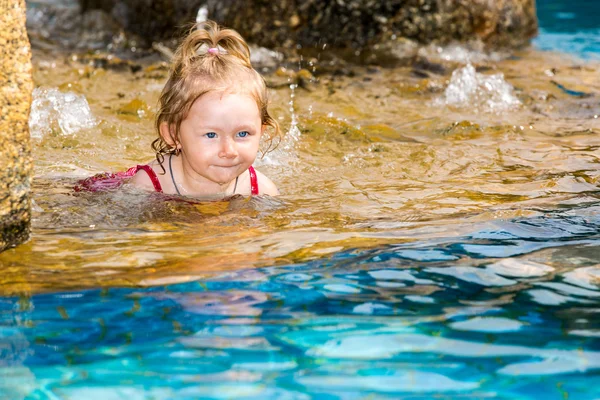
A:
212, 115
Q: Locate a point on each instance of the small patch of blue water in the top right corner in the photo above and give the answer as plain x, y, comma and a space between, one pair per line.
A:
569, 27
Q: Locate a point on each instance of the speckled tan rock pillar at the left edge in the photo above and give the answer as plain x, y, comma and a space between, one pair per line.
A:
16, 86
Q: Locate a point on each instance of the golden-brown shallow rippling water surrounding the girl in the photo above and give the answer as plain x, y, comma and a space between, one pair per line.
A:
383, 157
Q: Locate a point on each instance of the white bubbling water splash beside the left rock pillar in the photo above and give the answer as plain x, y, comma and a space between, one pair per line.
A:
52, 110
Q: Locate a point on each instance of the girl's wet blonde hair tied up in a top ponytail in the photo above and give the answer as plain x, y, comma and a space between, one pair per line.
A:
209, 59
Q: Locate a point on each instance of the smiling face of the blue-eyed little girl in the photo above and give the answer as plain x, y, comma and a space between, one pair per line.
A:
220, 136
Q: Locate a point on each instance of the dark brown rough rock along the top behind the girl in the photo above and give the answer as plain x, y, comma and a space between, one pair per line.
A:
342, 24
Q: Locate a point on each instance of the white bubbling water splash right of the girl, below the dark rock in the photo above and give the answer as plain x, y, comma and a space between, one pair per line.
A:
469, 89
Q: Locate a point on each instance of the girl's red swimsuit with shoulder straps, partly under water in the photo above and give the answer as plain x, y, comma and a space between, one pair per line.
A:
108, 180
